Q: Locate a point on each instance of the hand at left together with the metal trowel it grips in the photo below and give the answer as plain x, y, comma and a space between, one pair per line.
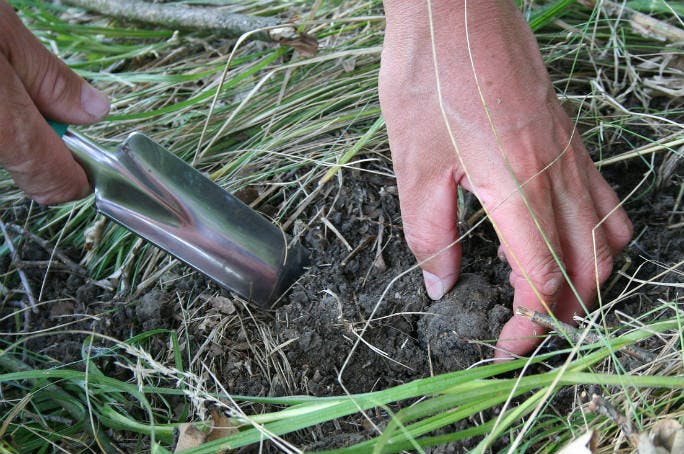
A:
141, 186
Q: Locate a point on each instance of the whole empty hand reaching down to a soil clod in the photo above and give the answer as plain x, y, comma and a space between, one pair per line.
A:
522, 138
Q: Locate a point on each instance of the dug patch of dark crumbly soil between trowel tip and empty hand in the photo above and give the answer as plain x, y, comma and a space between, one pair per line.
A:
329, 307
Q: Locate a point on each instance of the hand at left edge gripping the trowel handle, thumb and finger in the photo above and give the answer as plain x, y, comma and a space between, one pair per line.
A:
35, 84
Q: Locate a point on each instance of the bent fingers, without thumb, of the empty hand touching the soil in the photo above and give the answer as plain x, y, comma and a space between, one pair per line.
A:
579, 198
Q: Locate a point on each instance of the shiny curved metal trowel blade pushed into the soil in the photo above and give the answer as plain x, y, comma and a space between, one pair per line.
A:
157, 195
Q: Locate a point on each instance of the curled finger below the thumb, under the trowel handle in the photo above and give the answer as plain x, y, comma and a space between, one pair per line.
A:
33, 154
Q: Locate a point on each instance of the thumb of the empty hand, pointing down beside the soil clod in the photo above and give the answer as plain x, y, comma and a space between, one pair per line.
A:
429, 214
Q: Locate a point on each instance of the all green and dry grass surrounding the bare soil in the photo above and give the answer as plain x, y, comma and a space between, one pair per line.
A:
282, 123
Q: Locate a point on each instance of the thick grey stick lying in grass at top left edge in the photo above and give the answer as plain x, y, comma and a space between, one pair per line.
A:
186, 17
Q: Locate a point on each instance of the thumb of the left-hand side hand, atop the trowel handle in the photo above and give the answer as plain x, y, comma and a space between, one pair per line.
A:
58, 92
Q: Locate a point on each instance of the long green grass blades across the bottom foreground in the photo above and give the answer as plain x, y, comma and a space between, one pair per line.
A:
78, 401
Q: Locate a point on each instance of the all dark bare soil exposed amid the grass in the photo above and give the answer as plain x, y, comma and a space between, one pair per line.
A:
362, 270
